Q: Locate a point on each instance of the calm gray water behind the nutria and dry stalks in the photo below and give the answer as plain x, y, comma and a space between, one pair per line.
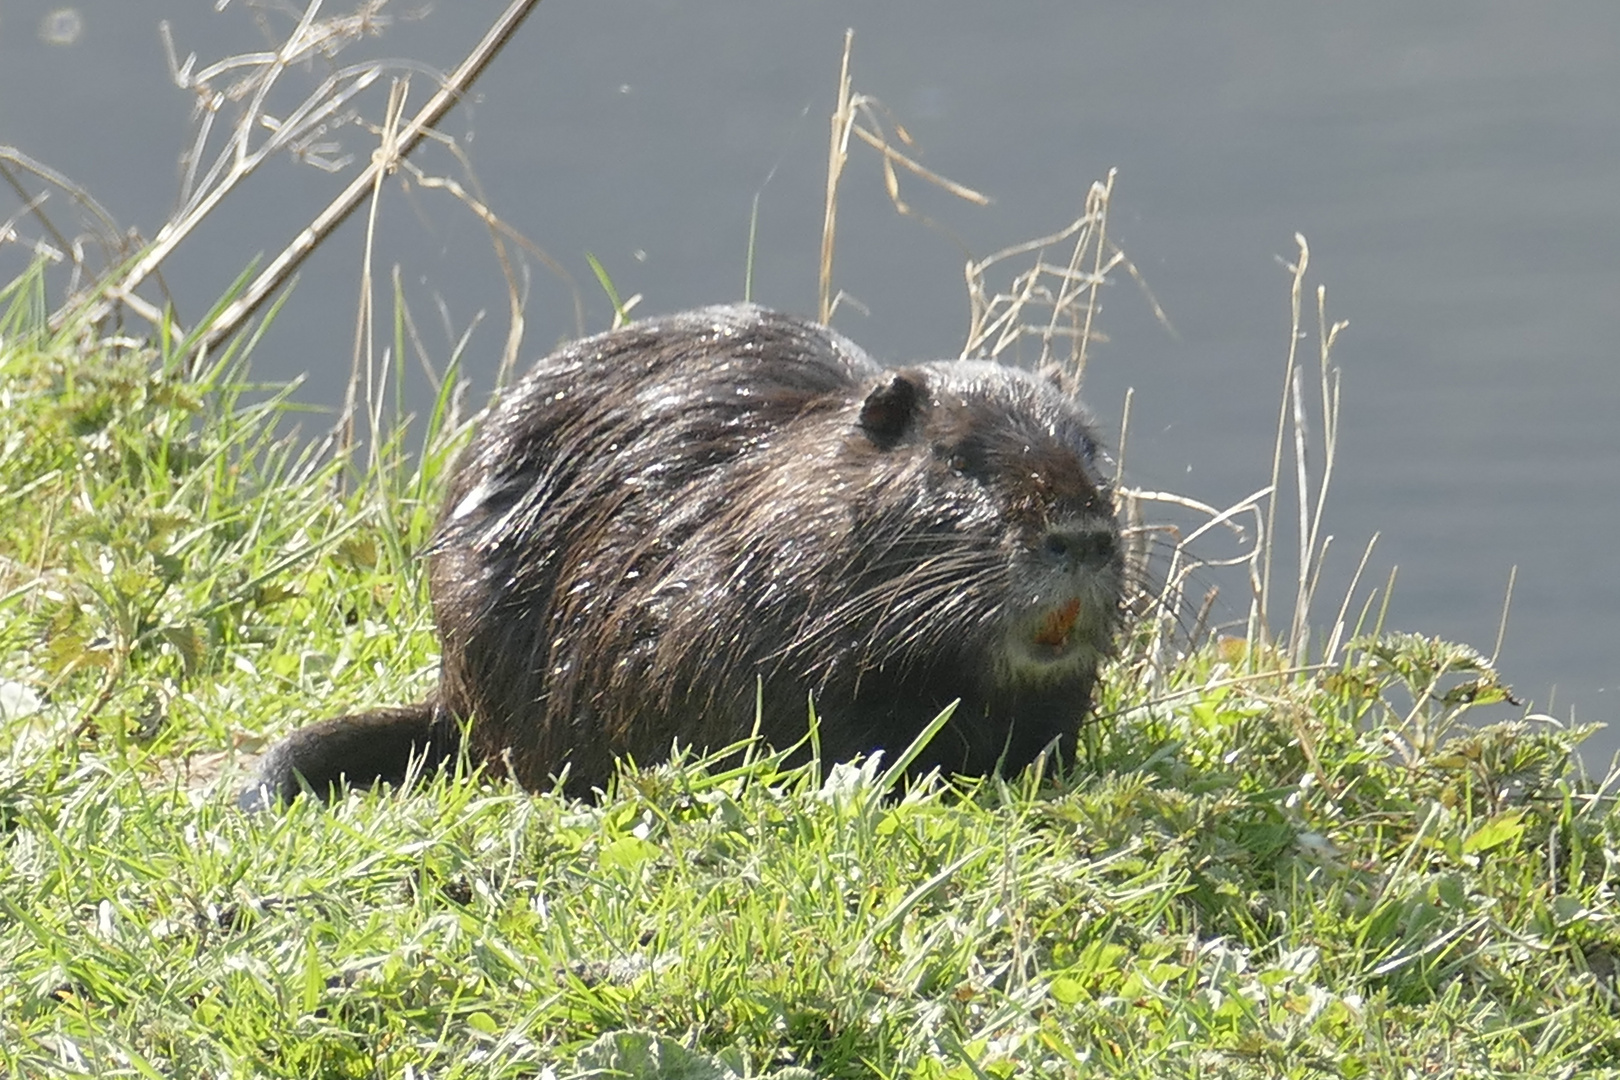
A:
1456, 168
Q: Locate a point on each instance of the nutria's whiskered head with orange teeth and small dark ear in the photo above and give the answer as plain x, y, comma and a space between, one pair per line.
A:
1007, 538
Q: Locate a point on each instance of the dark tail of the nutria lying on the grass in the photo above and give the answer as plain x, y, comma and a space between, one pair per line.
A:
362, 750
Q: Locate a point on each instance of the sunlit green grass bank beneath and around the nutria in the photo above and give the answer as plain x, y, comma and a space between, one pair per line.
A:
1251, 874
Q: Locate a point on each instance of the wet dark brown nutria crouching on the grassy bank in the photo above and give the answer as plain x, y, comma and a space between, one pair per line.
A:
665, 525
